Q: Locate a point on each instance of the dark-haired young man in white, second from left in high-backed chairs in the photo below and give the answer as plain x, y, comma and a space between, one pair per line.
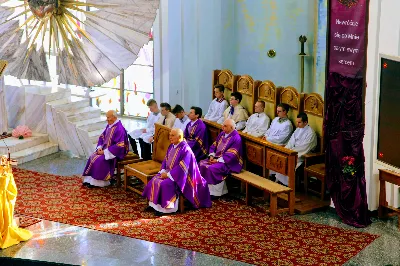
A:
235, 111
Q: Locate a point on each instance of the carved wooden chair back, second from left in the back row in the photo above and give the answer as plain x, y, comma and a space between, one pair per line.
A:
247, 87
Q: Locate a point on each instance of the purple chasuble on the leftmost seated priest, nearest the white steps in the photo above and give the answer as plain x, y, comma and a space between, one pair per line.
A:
115, 139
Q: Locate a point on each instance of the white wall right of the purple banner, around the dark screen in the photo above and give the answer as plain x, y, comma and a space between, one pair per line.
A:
383, 37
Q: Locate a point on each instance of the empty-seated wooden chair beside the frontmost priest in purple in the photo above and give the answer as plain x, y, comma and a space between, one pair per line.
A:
145, 170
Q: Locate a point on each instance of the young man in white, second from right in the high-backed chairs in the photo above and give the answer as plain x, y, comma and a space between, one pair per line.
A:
281, 127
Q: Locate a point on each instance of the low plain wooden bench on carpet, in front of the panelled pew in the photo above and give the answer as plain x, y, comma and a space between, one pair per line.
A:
274, 189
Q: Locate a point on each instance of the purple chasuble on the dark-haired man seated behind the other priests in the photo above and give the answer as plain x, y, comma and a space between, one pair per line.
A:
197, 138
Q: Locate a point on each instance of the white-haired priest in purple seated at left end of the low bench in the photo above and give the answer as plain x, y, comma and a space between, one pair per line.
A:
225, 157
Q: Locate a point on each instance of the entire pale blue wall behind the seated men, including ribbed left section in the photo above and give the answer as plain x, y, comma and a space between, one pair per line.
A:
193, 38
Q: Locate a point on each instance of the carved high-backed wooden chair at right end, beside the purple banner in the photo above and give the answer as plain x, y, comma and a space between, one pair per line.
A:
314, 163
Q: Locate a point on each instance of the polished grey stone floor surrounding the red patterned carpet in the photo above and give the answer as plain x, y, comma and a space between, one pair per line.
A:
64, 243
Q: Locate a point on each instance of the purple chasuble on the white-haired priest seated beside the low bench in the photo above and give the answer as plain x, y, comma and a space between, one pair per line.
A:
230, 149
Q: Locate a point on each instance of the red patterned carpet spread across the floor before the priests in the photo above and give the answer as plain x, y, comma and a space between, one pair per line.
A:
228, 229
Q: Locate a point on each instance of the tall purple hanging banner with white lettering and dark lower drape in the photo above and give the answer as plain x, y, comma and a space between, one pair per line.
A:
344, 123
